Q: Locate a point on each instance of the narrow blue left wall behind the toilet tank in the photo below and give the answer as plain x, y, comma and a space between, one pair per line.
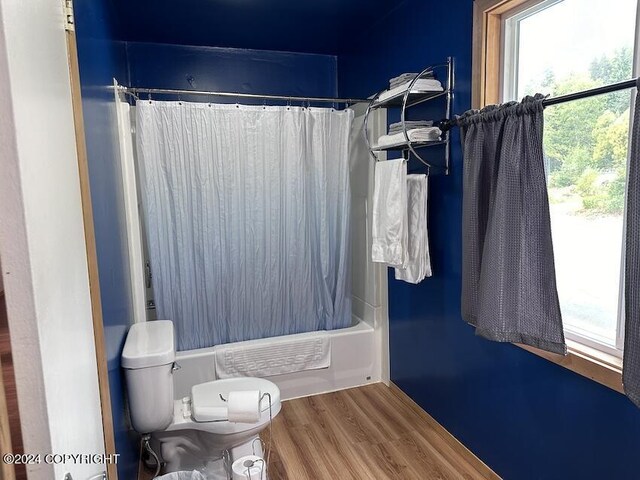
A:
101, 58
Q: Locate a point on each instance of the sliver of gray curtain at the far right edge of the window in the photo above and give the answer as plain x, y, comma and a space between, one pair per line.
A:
631, 361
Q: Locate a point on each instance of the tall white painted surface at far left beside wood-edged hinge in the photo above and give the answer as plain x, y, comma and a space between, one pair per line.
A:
42, 242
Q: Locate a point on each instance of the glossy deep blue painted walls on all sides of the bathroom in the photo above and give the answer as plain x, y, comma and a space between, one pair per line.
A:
525, 417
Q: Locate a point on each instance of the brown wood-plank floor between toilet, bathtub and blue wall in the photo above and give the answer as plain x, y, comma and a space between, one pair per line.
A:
373, 432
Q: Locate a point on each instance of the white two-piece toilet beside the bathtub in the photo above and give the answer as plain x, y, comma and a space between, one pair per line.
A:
191, 433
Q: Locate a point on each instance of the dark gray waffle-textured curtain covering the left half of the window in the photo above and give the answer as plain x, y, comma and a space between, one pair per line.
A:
508, 274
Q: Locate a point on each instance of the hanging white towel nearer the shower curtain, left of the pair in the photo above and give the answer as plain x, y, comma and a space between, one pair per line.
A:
389, 227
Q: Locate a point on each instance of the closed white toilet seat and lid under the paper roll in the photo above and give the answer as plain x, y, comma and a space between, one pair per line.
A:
208, 395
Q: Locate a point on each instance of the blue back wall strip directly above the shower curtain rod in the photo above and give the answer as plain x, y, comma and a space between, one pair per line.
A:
231, 70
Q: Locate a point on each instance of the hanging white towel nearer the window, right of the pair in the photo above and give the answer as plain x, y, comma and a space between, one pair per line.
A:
418, 262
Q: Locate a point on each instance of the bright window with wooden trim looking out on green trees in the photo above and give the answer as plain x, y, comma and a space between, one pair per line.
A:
556, 47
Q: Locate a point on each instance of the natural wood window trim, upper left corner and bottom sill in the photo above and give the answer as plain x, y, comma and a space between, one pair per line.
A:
487, 74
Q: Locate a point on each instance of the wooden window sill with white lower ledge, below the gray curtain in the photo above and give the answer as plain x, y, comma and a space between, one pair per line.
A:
602, 367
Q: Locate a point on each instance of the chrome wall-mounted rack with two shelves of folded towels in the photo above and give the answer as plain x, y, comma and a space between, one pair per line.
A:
408, 96
